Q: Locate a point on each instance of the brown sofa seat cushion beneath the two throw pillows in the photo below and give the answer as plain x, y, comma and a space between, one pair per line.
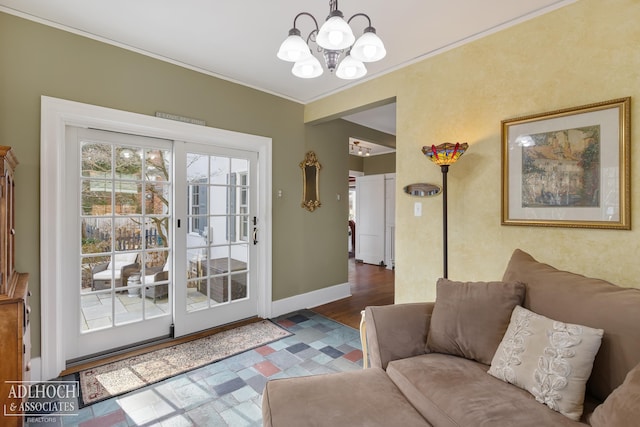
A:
453, 391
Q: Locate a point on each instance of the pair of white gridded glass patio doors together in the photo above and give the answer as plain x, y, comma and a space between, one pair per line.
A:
162, 235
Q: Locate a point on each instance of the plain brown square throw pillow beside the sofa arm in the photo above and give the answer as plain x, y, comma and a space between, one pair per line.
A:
470, 318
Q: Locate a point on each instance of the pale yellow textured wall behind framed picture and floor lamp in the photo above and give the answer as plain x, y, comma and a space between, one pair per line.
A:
583, 53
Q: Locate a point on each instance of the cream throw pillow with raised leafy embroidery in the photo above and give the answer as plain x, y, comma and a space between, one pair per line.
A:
551, 360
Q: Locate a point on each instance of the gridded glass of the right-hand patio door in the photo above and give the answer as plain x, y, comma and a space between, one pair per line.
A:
218, 216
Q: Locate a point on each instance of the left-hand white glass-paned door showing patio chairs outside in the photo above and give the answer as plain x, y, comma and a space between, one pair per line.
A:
116, 272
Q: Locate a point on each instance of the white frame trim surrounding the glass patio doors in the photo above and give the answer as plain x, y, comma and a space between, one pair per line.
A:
56, 114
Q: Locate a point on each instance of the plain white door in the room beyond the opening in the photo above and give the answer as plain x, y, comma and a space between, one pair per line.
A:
370, 219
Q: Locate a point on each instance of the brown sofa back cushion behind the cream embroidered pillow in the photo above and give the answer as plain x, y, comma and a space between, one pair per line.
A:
573, 298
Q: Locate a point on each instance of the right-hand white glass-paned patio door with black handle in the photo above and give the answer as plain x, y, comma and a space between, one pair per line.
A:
216, 237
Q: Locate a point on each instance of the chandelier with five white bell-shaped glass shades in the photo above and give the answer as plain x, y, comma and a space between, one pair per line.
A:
333, 38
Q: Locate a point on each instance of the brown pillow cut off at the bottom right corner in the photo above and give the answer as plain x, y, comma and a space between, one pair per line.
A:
622, 408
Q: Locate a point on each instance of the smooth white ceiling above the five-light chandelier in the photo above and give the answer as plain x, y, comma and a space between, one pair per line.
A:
237, 40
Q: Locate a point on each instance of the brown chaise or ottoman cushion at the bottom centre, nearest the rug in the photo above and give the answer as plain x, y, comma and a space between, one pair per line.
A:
357, 398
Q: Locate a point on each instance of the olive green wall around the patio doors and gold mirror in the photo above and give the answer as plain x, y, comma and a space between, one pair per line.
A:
309, 251
